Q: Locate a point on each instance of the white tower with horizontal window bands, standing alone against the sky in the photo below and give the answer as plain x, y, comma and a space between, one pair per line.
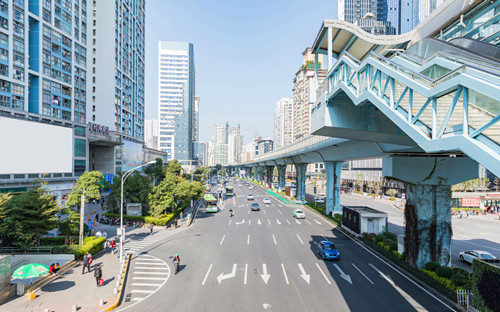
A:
176, 89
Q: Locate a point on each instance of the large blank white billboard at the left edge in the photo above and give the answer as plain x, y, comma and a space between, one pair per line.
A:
33, 147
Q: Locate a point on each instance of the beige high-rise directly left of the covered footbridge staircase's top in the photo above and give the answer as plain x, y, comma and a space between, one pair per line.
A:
303, 86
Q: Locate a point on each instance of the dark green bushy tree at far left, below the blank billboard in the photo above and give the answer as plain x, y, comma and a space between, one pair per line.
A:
29, 215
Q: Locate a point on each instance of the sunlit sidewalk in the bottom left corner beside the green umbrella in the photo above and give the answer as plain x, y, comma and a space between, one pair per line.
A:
73, 288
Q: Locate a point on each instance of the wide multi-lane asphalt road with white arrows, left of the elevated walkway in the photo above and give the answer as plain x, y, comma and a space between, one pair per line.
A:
267, 260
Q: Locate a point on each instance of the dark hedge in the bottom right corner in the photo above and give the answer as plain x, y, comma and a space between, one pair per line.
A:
485, 286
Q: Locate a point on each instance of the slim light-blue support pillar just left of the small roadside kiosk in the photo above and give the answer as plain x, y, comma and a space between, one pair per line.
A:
333, 170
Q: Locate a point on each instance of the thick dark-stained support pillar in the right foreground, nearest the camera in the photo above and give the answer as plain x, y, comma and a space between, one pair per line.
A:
428, 224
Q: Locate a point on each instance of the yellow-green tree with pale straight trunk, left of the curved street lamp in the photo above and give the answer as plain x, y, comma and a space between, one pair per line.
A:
88, 186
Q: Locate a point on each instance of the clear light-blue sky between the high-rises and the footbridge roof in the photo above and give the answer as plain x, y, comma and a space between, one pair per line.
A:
246, 55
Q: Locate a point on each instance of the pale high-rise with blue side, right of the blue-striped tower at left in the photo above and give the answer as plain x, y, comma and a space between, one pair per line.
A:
116, 66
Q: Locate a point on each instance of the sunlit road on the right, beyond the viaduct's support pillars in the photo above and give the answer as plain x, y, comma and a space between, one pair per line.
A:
473, 233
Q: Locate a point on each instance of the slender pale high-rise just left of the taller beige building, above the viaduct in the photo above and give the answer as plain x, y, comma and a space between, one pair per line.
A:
283, 123
